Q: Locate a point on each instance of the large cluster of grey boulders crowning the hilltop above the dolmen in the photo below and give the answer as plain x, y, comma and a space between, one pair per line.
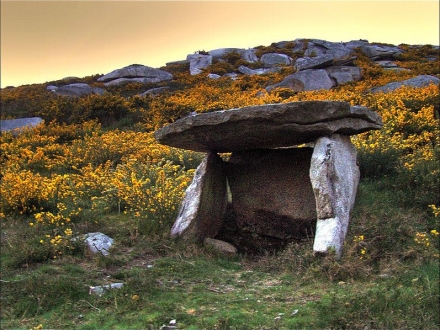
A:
337, 59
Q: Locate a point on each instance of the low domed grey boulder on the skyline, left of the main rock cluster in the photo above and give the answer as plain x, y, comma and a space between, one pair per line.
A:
149, 75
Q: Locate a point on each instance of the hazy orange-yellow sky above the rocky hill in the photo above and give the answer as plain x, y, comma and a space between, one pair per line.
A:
49, 40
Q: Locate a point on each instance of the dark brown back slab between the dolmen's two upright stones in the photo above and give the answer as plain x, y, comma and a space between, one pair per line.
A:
271, 192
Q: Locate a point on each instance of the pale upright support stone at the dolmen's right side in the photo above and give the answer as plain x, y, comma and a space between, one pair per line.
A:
334, 175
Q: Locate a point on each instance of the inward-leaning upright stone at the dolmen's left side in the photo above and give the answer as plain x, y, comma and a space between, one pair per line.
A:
204, 204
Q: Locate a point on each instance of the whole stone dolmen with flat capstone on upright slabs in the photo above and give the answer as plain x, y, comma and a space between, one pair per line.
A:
291, 170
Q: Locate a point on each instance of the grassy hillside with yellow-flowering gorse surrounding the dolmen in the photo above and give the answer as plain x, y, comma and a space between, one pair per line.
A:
95, 166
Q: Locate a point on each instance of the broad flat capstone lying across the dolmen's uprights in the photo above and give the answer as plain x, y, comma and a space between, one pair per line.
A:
267, 126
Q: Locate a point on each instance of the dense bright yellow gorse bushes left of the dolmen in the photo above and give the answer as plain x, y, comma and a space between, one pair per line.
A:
62, 178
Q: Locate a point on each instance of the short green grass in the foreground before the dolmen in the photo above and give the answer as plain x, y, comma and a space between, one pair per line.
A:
394, 287
